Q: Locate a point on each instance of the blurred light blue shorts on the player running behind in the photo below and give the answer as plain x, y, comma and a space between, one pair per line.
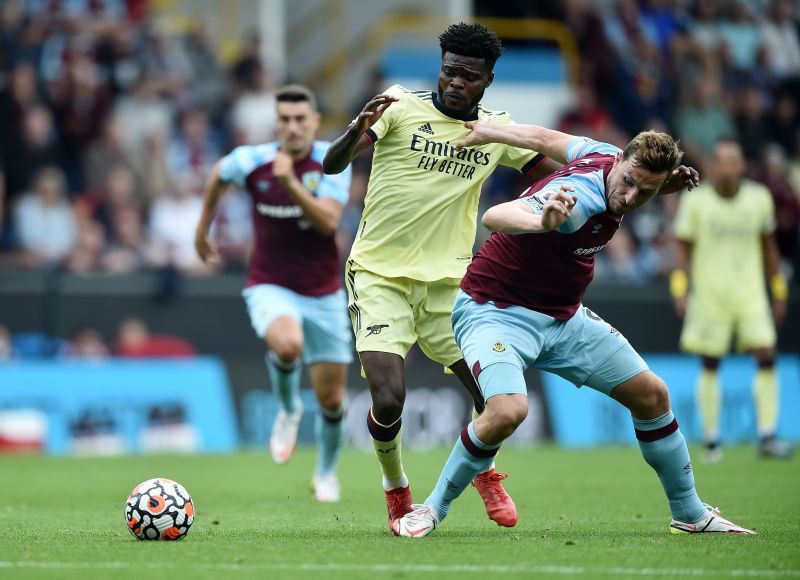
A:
326, 327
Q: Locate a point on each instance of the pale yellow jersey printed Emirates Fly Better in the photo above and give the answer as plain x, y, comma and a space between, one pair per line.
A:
421, 206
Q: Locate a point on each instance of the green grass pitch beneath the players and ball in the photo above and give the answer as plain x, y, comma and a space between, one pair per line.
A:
591, 514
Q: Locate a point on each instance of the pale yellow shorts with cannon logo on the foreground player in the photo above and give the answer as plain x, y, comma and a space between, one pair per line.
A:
391, 314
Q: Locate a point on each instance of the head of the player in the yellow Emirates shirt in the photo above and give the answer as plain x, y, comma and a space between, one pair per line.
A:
469, 52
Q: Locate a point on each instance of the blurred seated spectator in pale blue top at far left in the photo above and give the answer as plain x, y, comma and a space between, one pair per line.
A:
45, 221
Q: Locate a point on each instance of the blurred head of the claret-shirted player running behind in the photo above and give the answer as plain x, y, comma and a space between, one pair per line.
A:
298, 119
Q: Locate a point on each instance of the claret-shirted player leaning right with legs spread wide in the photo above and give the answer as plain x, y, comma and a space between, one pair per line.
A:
520, 306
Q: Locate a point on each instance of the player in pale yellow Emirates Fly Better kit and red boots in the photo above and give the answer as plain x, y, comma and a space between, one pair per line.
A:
415, 238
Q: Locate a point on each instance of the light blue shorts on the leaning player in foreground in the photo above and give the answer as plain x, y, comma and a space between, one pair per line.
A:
500, 343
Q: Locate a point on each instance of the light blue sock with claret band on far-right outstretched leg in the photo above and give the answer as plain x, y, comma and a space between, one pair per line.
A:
664, 448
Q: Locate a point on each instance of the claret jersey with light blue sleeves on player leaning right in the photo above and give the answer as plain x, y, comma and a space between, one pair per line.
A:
550, 272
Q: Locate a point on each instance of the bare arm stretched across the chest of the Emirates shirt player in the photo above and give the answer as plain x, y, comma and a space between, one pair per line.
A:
551, 143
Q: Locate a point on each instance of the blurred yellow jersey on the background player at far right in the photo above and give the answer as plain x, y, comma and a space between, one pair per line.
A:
727, 265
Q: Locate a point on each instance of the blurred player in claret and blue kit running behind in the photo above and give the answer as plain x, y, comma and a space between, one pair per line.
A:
293, 294
